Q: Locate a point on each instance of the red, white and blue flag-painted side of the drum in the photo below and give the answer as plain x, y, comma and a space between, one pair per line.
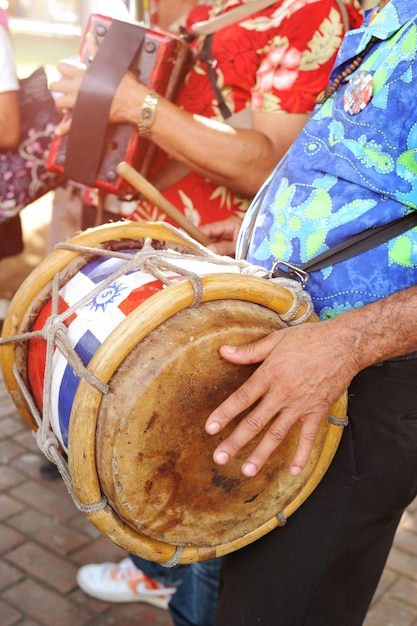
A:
91, 324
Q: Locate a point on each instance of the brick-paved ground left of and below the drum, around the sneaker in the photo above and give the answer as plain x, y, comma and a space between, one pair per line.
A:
43, 541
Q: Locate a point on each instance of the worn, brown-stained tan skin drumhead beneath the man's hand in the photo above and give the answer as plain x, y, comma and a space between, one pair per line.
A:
153, 455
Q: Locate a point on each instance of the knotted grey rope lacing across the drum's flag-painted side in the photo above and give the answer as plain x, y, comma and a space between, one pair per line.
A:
154, 262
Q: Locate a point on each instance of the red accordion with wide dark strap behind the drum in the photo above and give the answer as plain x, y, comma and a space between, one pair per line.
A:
92, 150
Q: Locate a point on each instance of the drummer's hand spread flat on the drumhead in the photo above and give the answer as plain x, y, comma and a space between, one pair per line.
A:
303, 370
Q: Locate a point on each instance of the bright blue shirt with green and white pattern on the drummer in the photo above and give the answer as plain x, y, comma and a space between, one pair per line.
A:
348, 172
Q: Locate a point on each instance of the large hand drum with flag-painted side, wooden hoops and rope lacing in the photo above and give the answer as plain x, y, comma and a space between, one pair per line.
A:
112, 343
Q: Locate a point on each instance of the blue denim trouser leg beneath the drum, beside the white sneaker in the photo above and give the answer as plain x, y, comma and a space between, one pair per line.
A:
195, 602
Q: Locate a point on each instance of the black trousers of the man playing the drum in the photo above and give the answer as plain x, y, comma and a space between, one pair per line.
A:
323, 567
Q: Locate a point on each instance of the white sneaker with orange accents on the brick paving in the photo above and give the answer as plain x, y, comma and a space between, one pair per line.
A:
123, 582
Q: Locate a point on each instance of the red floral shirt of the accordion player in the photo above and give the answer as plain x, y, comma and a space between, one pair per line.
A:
275, 61
